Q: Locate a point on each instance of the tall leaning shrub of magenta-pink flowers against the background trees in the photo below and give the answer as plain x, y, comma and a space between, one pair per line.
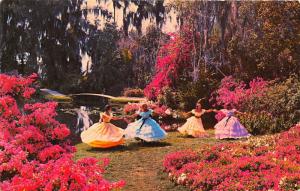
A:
173, 57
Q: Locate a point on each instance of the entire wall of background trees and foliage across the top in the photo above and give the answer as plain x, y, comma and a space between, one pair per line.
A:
215, 39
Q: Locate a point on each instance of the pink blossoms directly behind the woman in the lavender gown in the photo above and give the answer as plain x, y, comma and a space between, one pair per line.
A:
233, 93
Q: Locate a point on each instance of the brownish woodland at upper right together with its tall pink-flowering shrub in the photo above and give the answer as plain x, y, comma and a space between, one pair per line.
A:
227, 38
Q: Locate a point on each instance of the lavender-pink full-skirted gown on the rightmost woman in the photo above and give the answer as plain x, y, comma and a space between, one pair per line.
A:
230, 127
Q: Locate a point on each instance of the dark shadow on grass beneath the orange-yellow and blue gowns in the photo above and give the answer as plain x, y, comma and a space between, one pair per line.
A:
132, 146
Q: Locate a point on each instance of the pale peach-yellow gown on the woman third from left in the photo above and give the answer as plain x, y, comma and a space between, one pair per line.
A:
193, 125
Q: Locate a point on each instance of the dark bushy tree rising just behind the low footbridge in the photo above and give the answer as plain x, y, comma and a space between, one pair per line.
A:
108, 72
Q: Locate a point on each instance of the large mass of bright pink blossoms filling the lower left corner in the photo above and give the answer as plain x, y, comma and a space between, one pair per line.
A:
34, 150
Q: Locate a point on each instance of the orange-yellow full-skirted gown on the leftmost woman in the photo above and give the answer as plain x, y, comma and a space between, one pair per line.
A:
104, 134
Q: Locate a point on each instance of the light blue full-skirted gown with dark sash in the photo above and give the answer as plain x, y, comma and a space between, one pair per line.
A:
145, 128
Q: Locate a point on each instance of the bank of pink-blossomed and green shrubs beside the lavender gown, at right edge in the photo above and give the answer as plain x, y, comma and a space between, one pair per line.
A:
269, 106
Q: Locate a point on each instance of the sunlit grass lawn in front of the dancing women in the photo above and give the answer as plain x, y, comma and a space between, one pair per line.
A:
140, 165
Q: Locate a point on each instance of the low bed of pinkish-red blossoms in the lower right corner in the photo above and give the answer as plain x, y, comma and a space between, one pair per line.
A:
268, 163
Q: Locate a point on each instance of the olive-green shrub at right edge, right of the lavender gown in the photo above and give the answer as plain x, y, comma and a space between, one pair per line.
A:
275, 111
